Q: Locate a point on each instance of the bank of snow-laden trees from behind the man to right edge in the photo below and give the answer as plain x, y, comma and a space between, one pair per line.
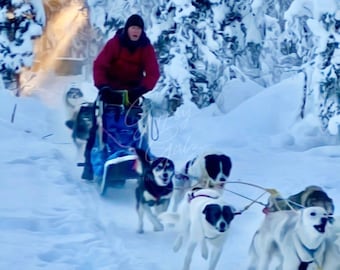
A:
216, 41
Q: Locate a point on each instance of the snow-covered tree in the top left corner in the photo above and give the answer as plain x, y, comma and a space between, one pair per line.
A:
20, 23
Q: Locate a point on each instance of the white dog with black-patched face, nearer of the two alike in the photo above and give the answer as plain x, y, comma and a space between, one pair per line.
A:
203, 219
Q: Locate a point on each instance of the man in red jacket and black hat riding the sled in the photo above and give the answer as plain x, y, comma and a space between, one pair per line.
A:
127, 62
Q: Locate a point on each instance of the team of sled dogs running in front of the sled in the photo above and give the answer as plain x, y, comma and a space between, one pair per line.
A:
297, 233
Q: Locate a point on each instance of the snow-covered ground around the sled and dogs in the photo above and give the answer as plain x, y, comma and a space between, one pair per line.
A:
51, 219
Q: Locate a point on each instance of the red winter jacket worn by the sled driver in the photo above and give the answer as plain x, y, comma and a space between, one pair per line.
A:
121, 68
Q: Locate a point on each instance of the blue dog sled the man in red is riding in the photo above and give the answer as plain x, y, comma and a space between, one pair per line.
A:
120, 128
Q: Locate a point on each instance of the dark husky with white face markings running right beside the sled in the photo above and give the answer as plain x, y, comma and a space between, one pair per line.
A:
154, 188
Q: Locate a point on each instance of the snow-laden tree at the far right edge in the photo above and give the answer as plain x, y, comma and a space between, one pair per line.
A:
315, 44
